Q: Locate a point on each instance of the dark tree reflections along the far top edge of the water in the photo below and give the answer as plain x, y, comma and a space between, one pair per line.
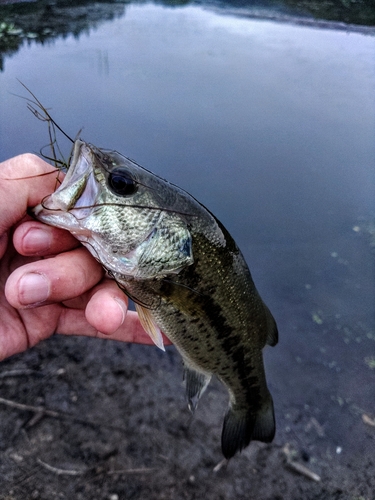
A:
42, 20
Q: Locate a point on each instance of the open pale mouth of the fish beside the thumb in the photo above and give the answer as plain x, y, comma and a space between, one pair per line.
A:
75, 197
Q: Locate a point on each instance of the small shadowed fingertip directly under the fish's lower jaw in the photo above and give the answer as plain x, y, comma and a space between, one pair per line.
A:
35, 238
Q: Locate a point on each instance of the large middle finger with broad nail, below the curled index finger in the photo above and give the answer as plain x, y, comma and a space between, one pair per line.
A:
56, 279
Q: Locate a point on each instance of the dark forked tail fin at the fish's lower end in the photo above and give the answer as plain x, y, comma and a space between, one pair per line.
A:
240, 427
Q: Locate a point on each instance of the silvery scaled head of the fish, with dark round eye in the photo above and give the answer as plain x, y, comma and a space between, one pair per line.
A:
126, 216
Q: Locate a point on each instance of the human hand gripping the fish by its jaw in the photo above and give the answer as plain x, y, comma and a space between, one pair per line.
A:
49, 283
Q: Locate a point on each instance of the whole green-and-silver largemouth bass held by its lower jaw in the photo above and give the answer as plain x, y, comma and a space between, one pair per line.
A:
185, 274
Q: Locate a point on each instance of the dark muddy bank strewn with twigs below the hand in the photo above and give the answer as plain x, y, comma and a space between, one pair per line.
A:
102, 420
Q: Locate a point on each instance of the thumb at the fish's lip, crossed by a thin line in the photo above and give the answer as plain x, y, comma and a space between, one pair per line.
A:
23, 183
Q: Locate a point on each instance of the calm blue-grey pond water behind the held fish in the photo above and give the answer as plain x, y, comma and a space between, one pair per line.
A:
271, 126
